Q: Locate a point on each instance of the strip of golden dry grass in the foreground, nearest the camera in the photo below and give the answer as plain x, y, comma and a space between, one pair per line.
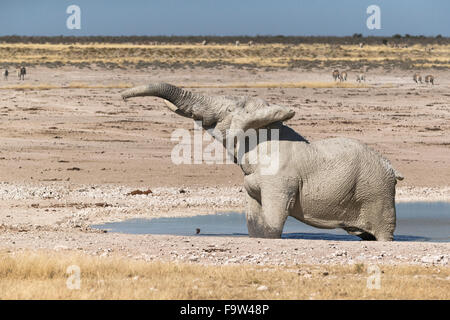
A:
42, 275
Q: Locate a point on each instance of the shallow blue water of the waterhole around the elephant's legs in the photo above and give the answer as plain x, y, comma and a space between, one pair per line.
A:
416, 221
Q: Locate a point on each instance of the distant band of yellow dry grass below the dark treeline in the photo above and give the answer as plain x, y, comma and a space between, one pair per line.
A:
261, 55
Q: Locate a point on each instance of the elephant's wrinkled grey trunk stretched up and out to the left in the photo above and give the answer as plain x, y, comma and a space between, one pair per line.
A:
189, 104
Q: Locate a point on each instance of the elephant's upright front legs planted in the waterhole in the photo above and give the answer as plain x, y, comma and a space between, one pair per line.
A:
266, 219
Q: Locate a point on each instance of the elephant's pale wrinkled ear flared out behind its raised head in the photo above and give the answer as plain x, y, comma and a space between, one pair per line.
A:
244, 119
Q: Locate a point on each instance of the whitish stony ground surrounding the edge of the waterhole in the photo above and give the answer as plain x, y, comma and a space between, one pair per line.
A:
57, 217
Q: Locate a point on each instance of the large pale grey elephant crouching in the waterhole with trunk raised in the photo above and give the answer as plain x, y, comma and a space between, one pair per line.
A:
332, 183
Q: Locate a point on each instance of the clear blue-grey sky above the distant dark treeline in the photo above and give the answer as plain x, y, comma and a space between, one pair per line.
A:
225, 17
